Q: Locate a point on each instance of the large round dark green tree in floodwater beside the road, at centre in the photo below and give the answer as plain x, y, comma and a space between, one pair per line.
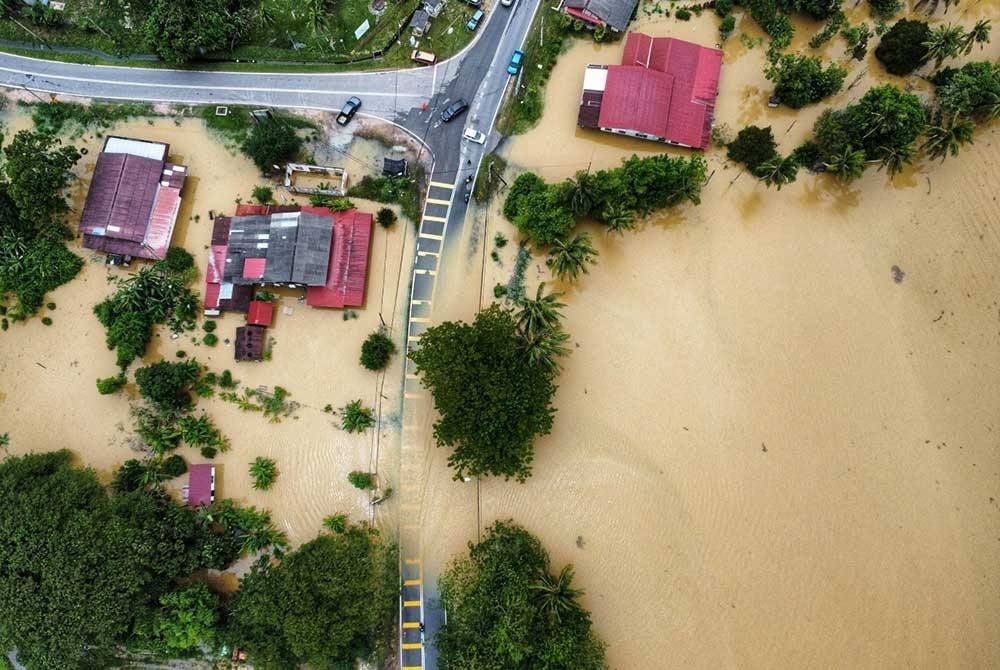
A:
491, 401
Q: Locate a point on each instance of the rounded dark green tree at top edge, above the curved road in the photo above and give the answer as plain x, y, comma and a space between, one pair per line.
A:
179, 30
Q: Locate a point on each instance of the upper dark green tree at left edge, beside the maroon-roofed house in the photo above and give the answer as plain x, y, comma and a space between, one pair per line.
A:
38, 170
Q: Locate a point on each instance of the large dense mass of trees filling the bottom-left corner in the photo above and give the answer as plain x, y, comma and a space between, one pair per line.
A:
110, 564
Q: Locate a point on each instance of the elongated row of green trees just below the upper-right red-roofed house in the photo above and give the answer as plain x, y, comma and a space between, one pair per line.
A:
547, 213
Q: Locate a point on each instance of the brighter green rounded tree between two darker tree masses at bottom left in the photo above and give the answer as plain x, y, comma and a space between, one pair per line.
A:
186, 620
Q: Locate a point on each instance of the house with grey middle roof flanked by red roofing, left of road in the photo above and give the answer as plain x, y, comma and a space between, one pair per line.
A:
313, 248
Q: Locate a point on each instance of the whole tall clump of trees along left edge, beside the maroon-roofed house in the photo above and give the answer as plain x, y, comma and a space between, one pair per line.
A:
33, 231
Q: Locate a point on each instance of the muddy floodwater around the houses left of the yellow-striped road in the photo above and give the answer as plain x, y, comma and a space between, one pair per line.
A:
50, 401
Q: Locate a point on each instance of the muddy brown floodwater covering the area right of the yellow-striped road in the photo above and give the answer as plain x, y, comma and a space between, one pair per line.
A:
777, 434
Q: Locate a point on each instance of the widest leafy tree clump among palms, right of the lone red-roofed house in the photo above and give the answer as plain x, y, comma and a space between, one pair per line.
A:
881, 127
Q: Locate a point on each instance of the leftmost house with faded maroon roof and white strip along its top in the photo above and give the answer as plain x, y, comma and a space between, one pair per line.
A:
133, 201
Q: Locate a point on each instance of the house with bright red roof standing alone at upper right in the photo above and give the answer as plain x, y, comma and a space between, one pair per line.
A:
664, 90
